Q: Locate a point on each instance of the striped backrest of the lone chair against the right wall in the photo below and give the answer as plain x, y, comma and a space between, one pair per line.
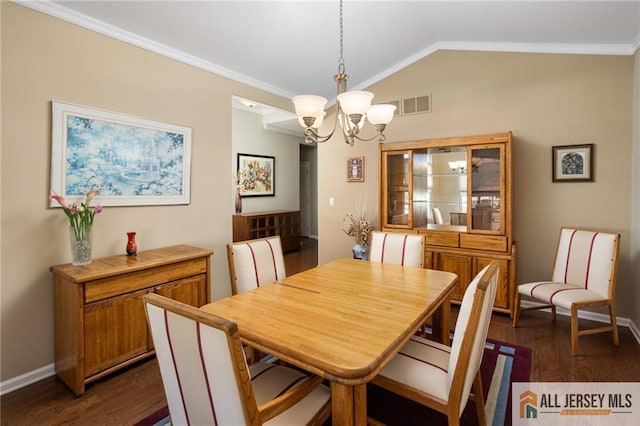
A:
587, 259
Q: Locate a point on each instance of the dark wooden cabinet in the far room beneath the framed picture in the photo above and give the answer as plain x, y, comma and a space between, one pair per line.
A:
249, 226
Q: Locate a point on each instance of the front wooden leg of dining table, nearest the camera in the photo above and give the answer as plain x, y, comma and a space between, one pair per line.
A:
348, 404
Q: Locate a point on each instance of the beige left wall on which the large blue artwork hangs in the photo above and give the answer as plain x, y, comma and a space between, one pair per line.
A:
44, 58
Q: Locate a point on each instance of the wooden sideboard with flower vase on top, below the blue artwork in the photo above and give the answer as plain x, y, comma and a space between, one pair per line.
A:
100, 322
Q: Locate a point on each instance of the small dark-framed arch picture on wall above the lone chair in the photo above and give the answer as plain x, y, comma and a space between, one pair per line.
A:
573, 163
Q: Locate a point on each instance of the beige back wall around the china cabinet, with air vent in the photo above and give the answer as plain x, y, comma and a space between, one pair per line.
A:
545, 100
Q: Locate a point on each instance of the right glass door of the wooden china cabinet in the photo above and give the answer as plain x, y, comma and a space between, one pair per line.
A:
486, 181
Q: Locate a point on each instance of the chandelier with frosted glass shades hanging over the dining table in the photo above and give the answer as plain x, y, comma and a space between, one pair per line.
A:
353, 108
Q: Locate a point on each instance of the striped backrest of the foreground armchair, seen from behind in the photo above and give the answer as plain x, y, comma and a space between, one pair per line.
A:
202, 364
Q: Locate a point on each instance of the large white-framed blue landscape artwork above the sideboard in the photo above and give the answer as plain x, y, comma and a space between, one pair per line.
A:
130, 160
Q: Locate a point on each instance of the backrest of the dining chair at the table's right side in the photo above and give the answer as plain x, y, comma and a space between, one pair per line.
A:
470, 333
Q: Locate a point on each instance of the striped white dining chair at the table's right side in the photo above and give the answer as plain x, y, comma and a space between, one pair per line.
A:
442, 377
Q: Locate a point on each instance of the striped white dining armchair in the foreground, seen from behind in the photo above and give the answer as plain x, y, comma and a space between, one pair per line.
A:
207, 381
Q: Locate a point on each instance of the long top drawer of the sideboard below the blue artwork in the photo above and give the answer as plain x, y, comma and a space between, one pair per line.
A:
126, 283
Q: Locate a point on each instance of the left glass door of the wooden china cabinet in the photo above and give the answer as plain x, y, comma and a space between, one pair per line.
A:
397, 183
